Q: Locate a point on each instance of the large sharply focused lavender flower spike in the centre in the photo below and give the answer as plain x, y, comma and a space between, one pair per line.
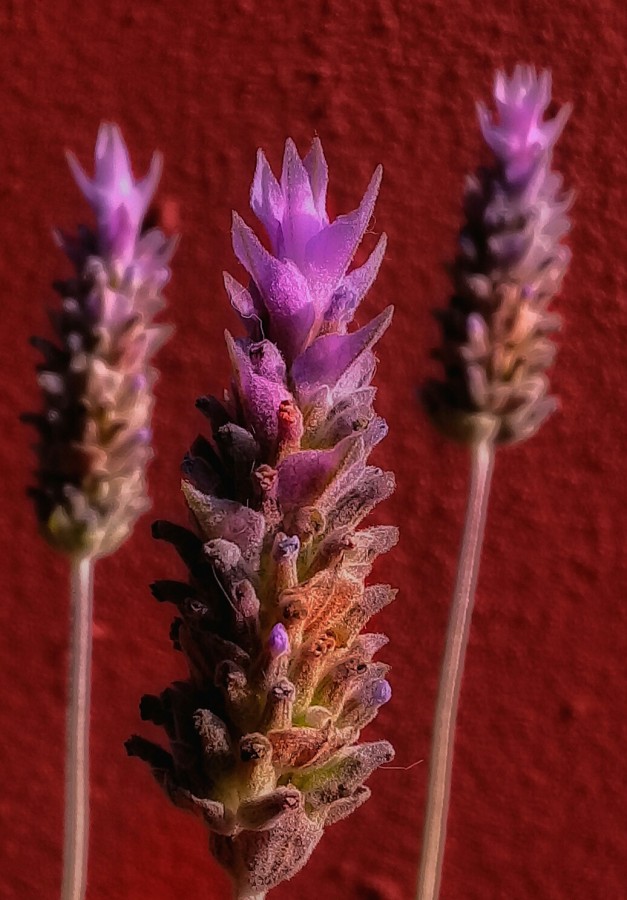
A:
264, 734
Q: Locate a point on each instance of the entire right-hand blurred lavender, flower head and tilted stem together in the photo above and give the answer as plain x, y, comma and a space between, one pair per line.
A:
495, 352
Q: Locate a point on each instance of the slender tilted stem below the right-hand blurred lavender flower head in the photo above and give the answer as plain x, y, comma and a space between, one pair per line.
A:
441, 763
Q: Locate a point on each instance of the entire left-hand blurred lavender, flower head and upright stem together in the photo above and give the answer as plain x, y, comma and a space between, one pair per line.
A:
94, 430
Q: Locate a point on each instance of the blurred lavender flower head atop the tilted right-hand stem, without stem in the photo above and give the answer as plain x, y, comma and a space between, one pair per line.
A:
511, 261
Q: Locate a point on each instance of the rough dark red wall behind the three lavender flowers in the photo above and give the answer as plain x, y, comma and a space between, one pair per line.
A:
539, 805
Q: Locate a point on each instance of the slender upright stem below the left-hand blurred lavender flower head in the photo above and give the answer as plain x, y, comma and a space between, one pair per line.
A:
76, 838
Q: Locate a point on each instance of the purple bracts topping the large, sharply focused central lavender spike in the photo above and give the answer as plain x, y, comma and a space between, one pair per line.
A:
303, 282
